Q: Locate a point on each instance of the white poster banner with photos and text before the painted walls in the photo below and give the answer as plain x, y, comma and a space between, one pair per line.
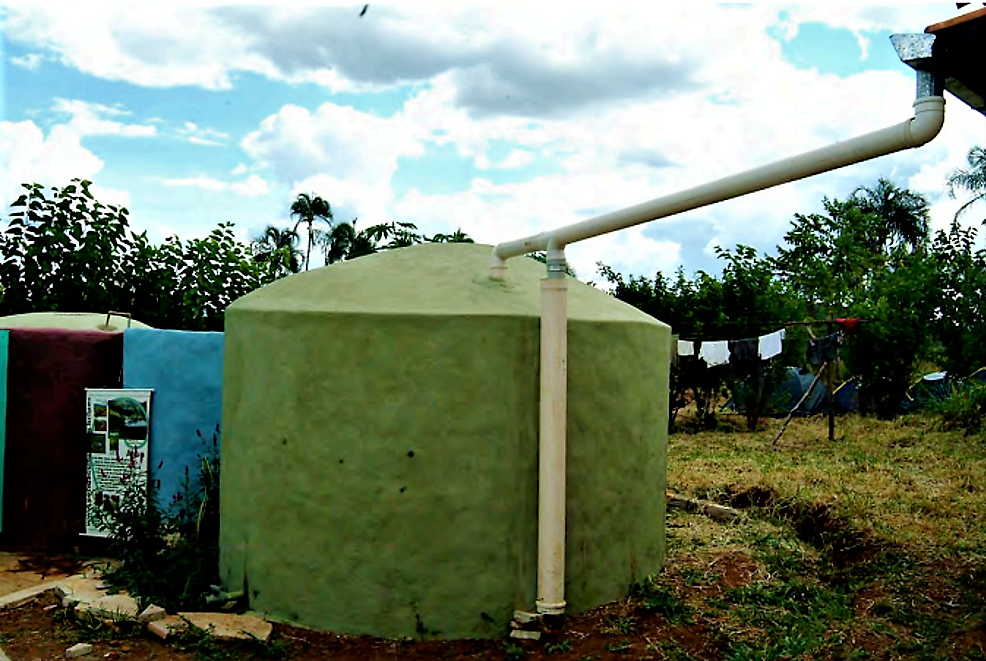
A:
118, 424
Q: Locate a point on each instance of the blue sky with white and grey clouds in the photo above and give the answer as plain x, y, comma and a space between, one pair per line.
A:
501, 119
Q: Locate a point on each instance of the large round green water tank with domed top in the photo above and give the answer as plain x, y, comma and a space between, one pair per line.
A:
380, 445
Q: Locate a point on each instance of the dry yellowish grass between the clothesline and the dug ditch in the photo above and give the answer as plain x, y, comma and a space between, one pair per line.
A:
904, 481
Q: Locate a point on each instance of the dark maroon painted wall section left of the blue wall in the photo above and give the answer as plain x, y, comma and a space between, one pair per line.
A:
45, 482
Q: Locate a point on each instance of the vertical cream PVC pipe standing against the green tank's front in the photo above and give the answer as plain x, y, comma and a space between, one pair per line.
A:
551, 444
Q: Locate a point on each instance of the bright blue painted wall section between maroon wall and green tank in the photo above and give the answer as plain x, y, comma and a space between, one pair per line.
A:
185, 371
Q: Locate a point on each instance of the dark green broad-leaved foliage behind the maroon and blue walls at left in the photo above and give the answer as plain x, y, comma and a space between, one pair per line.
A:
64, 251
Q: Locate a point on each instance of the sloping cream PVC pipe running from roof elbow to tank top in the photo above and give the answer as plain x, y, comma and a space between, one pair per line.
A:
929, 116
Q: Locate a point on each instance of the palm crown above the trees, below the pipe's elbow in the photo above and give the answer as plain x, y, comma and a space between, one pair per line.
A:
905, 214
